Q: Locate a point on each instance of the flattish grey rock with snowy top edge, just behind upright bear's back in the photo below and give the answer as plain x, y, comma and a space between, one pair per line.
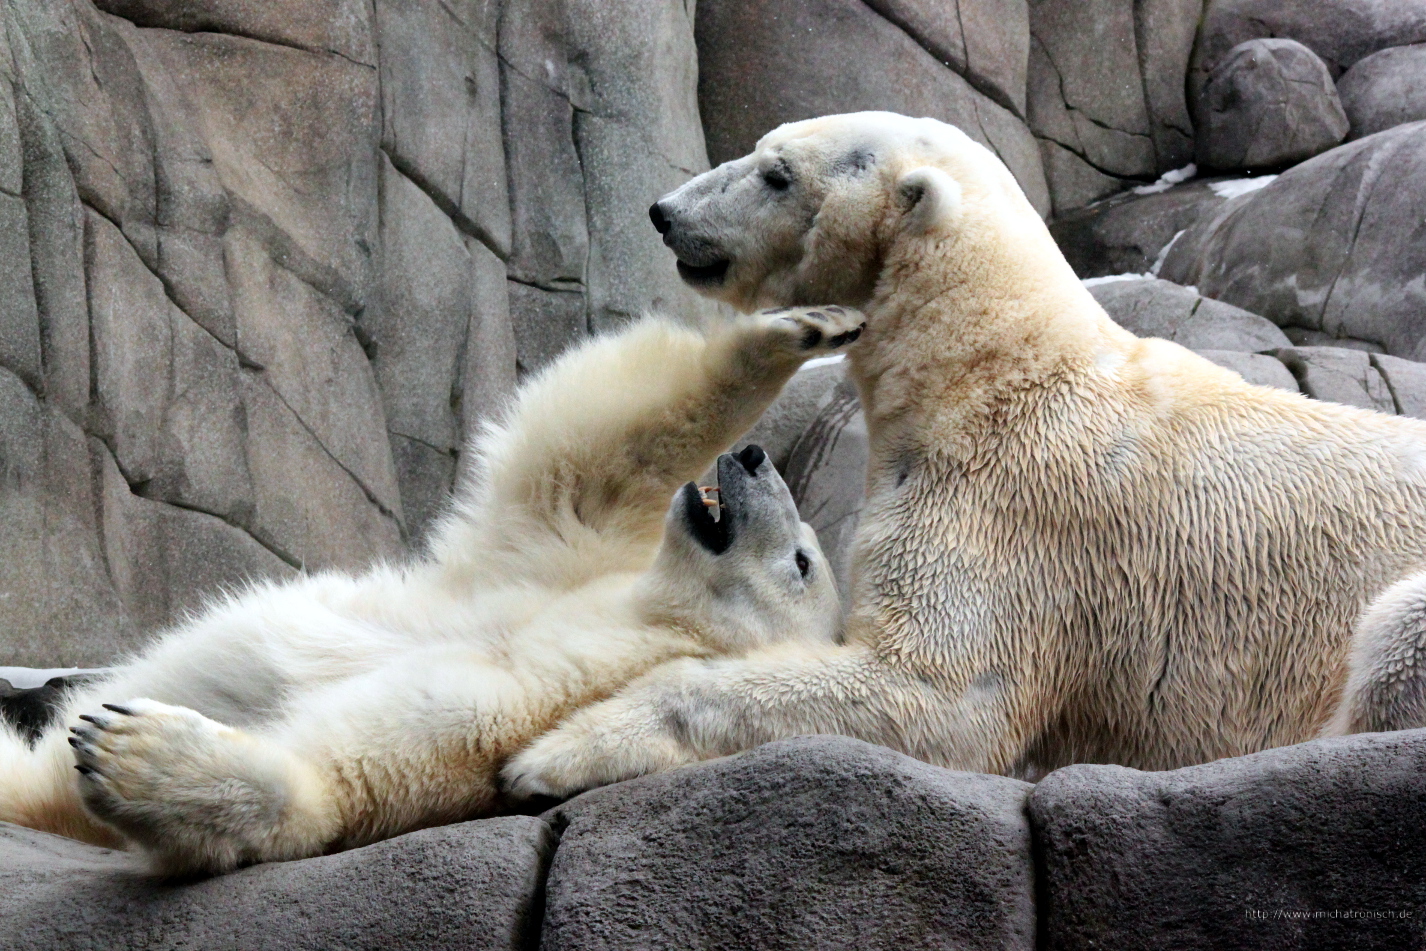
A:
1150, 307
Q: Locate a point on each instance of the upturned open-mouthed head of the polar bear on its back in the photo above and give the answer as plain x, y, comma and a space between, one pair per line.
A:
751, 577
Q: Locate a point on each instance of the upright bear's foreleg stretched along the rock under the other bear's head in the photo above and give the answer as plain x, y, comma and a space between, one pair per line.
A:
692, 711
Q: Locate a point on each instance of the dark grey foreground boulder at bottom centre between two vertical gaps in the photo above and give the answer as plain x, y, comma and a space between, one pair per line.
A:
809, 843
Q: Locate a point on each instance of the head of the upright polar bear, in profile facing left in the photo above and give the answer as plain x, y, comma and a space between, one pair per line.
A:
814, 213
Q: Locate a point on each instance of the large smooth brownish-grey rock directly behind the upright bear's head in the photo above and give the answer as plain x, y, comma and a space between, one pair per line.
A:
756, 72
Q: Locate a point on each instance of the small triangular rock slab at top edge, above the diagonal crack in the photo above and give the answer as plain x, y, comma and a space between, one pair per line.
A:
985, 41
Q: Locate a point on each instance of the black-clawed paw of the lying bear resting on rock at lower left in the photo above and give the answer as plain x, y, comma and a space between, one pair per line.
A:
198, 795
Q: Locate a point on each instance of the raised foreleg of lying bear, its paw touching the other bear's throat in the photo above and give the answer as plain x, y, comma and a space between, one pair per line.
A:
577, 480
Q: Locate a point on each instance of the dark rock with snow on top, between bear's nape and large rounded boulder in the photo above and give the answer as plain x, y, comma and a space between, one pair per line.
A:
1127, 235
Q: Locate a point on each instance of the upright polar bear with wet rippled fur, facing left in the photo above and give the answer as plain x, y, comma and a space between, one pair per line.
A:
1077, 545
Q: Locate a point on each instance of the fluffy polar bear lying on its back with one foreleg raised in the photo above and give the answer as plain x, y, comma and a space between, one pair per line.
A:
330, 712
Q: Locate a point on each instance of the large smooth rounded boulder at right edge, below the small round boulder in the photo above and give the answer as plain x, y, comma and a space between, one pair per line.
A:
1335, 245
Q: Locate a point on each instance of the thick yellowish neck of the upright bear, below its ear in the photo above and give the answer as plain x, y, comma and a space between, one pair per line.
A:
963, 323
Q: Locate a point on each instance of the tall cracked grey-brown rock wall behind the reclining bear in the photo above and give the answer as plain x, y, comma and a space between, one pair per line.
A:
266, 266
